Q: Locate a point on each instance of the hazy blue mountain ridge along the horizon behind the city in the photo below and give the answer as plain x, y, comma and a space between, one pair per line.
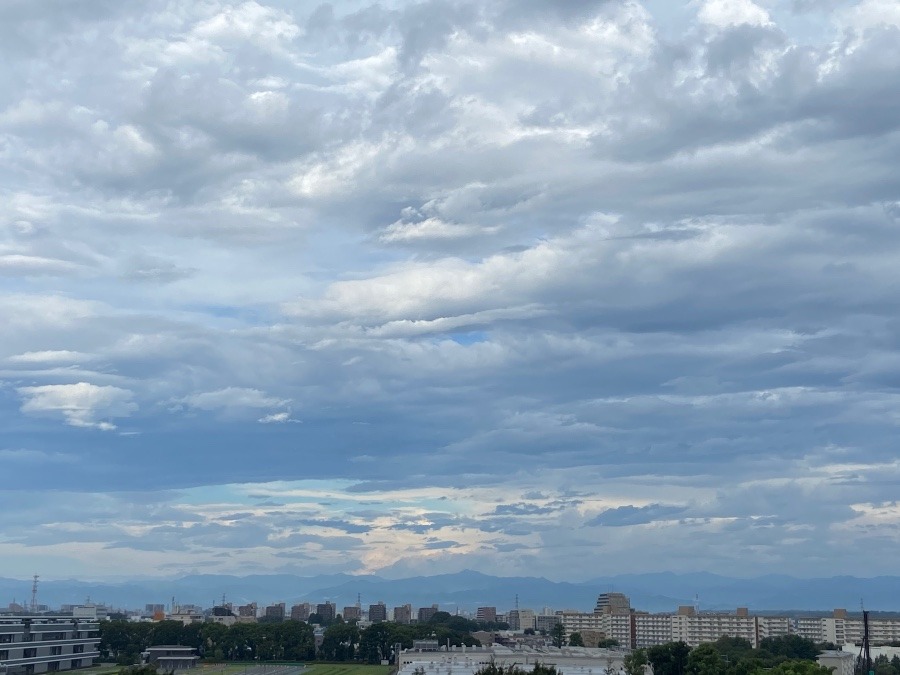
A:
468, 590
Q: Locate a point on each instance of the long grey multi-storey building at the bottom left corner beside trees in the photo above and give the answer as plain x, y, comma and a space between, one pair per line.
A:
37, 644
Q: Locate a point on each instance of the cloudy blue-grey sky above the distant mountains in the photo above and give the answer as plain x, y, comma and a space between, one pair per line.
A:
529, 287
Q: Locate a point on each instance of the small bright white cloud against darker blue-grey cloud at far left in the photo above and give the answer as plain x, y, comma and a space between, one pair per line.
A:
80, 405
